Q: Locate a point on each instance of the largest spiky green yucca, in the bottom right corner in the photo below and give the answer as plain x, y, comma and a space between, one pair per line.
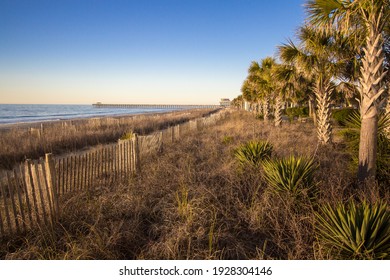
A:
356, 231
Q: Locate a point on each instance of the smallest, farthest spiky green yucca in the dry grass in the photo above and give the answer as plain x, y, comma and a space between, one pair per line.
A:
253, 152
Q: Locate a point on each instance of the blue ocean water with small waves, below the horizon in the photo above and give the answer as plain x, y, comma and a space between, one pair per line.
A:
20, 113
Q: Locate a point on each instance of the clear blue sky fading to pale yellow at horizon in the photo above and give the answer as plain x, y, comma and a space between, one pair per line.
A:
136, 51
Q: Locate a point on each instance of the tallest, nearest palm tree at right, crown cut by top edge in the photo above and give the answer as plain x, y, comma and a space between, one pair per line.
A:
371, 18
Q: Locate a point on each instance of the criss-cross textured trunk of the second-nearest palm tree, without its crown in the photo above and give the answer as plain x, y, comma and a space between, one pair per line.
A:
324, 129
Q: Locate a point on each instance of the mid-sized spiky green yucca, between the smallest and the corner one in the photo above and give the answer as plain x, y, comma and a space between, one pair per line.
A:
292, 174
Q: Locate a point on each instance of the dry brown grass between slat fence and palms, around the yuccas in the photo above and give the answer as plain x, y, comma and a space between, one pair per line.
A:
194, 201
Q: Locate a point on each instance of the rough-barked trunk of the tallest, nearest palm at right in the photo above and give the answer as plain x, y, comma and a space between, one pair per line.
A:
371, 89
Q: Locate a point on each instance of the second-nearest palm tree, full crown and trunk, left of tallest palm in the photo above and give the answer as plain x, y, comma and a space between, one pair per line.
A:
316, 59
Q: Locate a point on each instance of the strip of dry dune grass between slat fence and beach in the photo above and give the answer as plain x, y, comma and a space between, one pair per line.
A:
31, 140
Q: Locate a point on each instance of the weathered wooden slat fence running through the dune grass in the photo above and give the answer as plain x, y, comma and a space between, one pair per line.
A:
29, 194
